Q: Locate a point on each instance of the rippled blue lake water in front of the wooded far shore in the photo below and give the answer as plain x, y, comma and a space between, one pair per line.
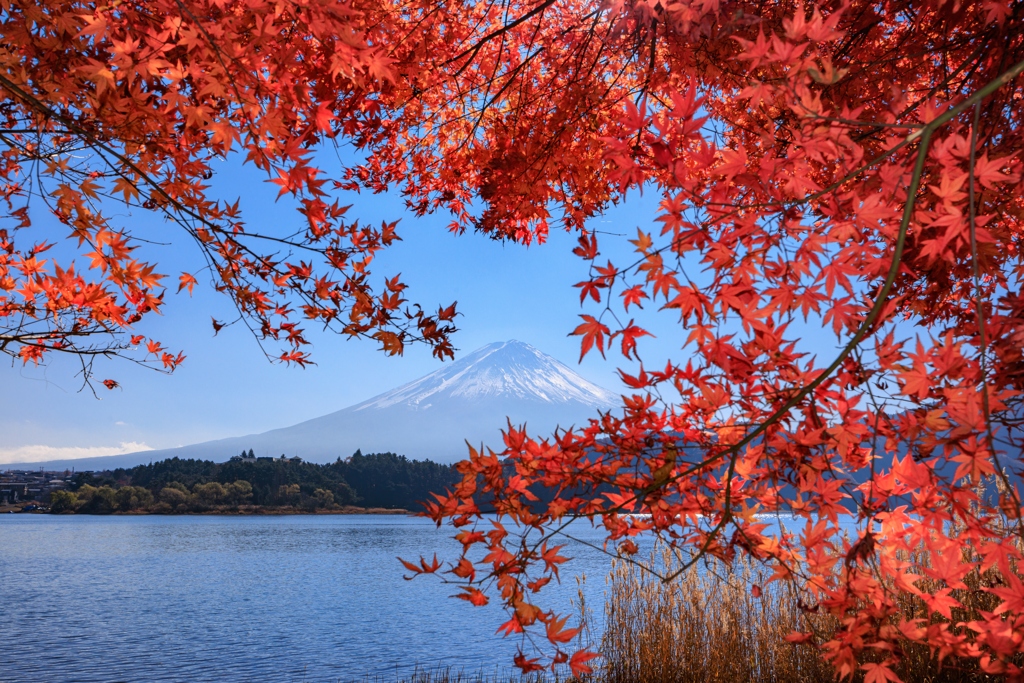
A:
216, 599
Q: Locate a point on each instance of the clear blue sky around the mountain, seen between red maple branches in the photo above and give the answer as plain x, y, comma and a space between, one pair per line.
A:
227, 388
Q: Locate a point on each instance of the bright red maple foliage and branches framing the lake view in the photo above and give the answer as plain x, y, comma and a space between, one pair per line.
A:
849, 165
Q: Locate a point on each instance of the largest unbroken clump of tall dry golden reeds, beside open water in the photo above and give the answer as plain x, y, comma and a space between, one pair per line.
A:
706, 627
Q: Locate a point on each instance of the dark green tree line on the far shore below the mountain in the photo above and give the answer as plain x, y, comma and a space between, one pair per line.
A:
376, 483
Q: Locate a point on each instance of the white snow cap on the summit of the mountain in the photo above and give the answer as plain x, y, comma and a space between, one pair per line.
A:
502, 370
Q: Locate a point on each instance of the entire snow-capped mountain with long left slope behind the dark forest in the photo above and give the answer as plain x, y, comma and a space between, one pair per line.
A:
432, 417
